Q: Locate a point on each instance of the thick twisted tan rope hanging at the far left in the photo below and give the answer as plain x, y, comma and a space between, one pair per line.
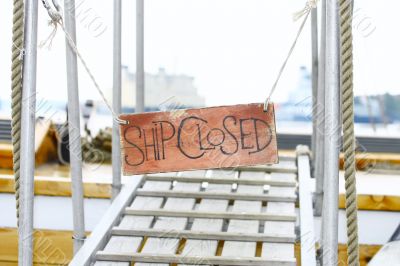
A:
17, 52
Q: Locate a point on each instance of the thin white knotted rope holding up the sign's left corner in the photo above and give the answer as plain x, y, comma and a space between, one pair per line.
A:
56, 19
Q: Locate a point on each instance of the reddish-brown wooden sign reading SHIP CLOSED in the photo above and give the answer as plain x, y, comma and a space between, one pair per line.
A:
215, 137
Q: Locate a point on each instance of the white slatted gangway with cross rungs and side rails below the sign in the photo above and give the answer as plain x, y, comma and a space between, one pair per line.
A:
244, 216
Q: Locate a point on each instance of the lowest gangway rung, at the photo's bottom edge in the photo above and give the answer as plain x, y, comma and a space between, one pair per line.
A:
197, 260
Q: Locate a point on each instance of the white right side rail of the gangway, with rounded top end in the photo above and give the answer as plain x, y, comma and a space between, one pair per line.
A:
307, 237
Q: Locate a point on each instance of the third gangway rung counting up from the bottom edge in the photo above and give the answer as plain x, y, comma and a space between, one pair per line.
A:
213, 215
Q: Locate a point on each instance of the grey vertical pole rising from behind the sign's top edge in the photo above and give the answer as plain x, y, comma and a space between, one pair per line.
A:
139, 56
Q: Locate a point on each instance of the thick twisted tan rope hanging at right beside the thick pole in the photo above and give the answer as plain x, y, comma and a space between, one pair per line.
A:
346, 9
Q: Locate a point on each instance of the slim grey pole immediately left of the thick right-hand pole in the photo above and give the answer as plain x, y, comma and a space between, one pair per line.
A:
320, 118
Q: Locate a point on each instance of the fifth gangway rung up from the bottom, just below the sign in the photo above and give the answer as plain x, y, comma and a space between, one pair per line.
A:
216, 180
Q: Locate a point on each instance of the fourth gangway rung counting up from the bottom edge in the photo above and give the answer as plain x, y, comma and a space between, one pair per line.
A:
216, 195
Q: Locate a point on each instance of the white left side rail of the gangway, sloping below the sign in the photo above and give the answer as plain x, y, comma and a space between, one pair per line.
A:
101, 233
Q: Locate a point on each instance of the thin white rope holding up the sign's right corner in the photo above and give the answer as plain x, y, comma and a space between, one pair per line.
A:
304, 12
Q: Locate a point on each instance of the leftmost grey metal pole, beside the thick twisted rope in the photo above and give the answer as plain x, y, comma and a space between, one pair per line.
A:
27, 165
